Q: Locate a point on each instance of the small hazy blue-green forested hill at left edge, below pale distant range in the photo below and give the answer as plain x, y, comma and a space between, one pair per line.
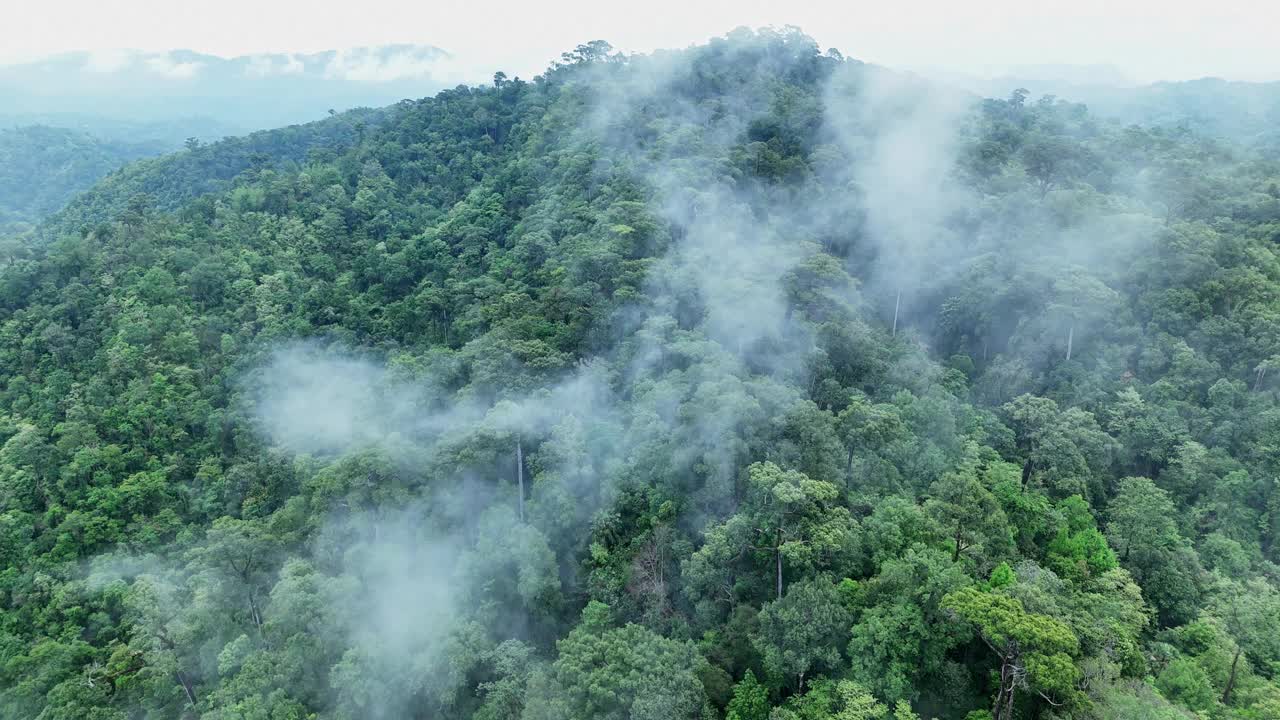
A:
42, 168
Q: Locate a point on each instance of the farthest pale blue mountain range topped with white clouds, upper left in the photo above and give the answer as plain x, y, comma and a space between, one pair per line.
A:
248, 93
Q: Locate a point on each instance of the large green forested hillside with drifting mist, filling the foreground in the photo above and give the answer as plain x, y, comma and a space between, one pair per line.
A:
742, 382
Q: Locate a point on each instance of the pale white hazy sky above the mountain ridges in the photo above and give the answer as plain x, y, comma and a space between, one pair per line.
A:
1148, 39
